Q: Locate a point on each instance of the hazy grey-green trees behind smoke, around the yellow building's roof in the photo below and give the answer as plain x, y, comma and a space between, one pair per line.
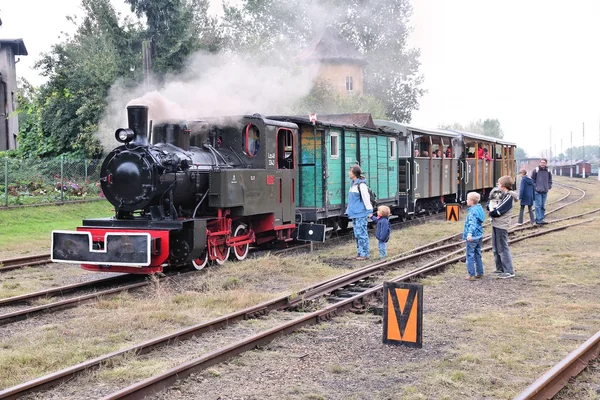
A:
279, 28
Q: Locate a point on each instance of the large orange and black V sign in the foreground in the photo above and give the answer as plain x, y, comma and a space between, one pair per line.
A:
403, 314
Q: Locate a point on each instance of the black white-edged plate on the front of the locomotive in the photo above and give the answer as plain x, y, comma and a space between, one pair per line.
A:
123, 248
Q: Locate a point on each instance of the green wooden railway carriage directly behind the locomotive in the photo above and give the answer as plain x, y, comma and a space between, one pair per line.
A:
328, 147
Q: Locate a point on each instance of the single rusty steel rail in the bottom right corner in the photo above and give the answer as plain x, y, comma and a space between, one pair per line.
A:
558, 376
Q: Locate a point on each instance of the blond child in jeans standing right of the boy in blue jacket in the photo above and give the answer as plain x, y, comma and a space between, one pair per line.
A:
500, 224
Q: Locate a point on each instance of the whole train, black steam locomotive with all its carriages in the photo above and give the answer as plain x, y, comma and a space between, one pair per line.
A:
203, 191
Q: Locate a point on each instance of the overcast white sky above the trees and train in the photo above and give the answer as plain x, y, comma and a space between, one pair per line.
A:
534, 64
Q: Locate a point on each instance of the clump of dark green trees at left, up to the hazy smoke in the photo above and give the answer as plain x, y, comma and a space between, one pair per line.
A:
83, 67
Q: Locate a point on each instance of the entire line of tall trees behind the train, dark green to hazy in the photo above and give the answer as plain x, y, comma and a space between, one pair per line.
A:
62, 116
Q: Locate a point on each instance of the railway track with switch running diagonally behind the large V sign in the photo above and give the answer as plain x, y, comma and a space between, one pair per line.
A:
347, 292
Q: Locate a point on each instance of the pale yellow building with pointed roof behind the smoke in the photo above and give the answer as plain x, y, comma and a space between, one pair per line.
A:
340, 63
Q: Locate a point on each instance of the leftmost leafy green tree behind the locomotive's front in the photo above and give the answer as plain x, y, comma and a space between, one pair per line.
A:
81, 70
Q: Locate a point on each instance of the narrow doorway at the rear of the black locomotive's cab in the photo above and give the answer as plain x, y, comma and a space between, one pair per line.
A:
286, 174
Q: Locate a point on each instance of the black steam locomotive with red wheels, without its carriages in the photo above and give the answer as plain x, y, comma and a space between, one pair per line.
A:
195, 191
